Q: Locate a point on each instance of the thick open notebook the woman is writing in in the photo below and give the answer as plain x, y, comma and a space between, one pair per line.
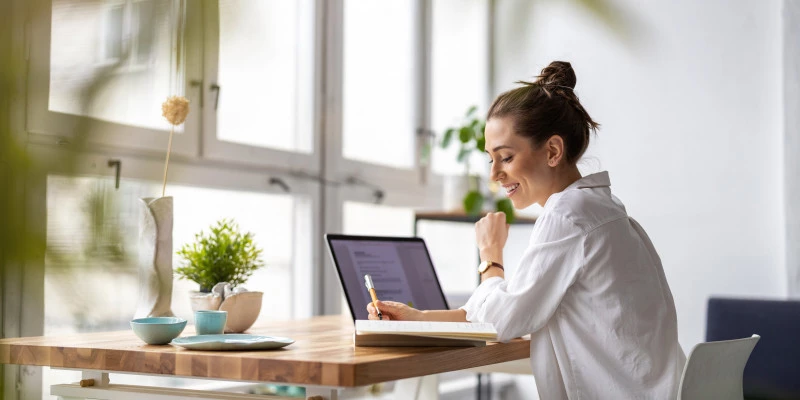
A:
422, 333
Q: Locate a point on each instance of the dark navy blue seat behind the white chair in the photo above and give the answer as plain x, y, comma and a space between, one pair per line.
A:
773, 370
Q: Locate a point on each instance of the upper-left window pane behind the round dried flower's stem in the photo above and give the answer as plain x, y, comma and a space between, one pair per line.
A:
130, 45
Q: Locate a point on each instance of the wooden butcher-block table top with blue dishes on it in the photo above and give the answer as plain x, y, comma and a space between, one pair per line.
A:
323, 354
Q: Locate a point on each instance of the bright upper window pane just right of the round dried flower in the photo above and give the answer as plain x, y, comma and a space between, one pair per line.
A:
266, 73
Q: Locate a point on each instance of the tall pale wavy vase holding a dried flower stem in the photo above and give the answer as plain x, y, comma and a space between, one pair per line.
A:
155, 258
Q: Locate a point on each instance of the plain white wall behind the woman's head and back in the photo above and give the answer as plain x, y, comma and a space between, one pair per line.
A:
692, 131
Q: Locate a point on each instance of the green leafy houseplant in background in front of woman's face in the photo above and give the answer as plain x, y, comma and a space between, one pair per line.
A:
471, 138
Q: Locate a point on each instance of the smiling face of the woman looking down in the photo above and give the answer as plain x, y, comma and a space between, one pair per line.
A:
521, 169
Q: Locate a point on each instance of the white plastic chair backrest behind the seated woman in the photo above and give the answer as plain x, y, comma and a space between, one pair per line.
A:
714, 370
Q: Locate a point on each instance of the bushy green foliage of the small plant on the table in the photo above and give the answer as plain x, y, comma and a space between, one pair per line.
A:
224, 255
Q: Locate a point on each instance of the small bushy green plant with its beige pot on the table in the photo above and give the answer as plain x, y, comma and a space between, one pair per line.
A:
220, 262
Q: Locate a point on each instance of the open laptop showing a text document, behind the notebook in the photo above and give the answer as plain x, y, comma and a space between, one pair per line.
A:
400, 267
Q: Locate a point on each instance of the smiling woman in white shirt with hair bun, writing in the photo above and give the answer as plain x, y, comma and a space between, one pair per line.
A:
590, 289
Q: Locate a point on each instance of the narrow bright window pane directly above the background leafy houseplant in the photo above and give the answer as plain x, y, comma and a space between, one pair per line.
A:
459, 70
